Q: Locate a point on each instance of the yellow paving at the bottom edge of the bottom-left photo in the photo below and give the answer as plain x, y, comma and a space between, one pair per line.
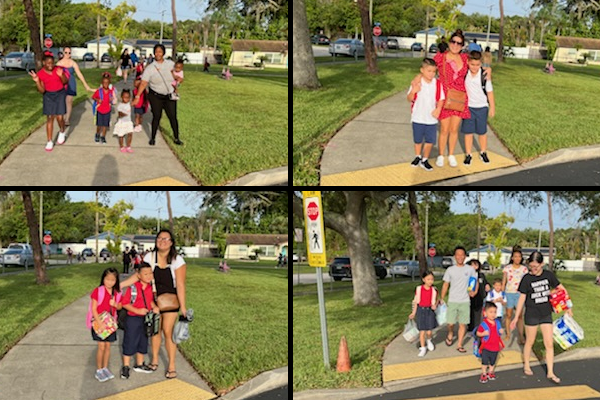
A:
169, 389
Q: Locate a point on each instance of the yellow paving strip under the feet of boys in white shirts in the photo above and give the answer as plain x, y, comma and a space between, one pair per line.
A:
406, 175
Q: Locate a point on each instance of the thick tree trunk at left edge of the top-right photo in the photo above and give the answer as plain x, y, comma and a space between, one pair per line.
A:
305, 72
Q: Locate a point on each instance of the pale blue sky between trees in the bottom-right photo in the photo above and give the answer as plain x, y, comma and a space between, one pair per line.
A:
495, 205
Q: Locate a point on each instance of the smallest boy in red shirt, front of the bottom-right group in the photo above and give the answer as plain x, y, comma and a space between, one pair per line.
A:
488, 342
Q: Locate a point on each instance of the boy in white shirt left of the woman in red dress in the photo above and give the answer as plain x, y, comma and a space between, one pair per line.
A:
427, 99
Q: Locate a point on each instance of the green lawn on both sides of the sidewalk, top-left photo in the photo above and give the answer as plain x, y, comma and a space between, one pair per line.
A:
230, 128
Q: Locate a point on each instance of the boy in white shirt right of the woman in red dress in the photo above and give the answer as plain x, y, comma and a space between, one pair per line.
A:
479, 92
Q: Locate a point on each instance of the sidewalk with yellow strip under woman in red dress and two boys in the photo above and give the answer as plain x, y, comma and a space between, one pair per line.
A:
376, 148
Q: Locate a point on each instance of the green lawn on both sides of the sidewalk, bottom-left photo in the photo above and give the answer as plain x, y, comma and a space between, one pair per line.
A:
241, 318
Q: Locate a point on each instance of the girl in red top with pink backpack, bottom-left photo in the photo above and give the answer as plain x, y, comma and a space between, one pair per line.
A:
105, 298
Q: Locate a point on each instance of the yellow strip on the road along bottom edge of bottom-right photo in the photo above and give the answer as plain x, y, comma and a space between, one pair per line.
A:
555, 393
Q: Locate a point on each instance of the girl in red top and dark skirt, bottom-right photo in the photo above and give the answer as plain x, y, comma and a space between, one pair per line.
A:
424, 305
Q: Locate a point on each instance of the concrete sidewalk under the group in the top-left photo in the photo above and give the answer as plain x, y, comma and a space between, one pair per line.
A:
82, 162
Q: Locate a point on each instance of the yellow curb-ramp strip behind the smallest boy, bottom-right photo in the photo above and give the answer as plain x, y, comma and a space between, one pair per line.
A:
444, 366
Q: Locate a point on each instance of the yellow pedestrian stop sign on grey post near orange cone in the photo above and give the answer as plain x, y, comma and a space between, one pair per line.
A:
315, 248
